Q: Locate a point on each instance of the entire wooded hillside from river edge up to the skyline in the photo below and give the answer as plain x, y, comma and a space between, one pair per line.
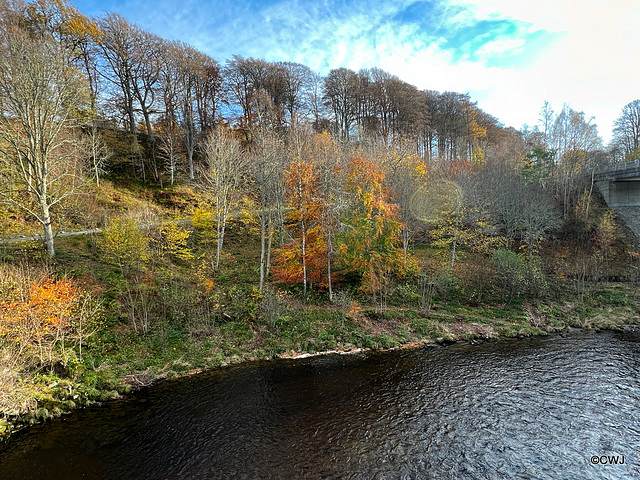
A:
253, 209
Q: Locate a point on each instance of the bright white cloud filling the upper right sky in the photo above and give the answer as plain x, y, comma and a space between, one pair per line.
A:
591, 67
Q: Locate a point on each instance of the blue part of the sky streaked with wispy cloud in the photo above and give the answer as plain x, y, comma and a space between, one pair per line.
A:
325, 34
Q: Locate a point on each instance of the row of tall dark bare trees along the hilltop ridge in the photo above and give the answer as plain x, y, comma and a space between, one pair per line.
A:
175, 94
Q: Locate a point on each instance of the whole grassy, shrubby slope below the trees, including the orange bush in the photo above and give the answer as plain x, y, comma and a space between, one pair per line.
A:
125, 325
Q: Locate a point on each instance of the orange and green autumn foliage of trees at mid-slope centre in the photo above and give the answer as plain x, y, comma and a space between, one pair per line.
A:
338, 229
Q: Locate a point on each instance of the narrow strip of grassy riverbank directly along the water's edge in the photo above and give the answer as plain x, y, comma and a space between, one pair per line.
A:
138, 361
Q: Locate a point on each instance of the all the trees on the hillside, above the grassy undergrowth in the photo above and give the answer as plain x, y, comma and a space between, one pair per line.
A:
80, 96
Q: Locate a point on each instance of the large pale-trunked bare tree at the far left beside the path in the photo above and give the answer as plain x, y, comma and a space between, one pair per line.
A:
41, 96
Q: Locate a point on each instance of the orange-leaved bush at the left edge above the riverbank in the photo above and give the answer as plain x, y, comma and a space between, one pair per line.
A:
42, 319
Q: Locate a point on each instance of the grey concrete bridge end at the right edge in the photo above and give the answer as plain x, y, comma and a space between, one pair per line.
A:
620, 187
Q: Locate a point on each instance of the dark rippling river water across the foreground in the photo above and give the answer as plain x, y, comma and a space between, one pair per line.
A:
526, 409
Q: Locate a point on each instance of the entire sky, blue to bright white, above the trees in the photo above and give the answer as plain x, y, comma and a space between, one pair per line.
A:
510, 56
